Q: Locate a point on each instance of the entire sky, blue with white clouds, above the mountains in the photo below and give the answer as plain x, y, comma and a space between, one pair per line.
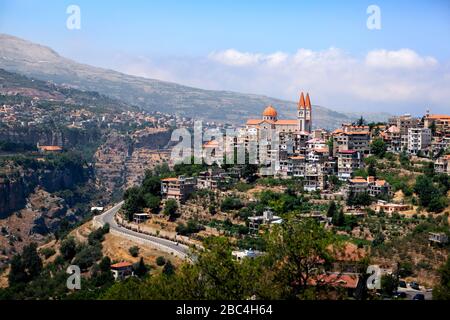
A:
275, 48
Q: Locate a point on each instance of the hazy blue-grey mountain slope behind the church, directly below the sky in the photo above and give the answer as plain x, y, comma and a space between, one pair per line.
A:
43, 63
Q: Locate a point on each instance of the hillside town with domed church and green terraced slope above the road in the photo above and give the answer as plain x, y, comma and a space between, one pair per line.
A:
369, 182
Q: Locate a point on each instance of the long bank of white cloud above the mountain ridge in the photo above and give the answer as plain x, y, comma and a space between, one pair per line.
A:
391, 81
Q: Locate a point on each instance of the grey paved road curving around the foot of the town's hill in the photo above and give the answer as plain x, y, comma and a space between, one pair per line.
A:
163, 244
